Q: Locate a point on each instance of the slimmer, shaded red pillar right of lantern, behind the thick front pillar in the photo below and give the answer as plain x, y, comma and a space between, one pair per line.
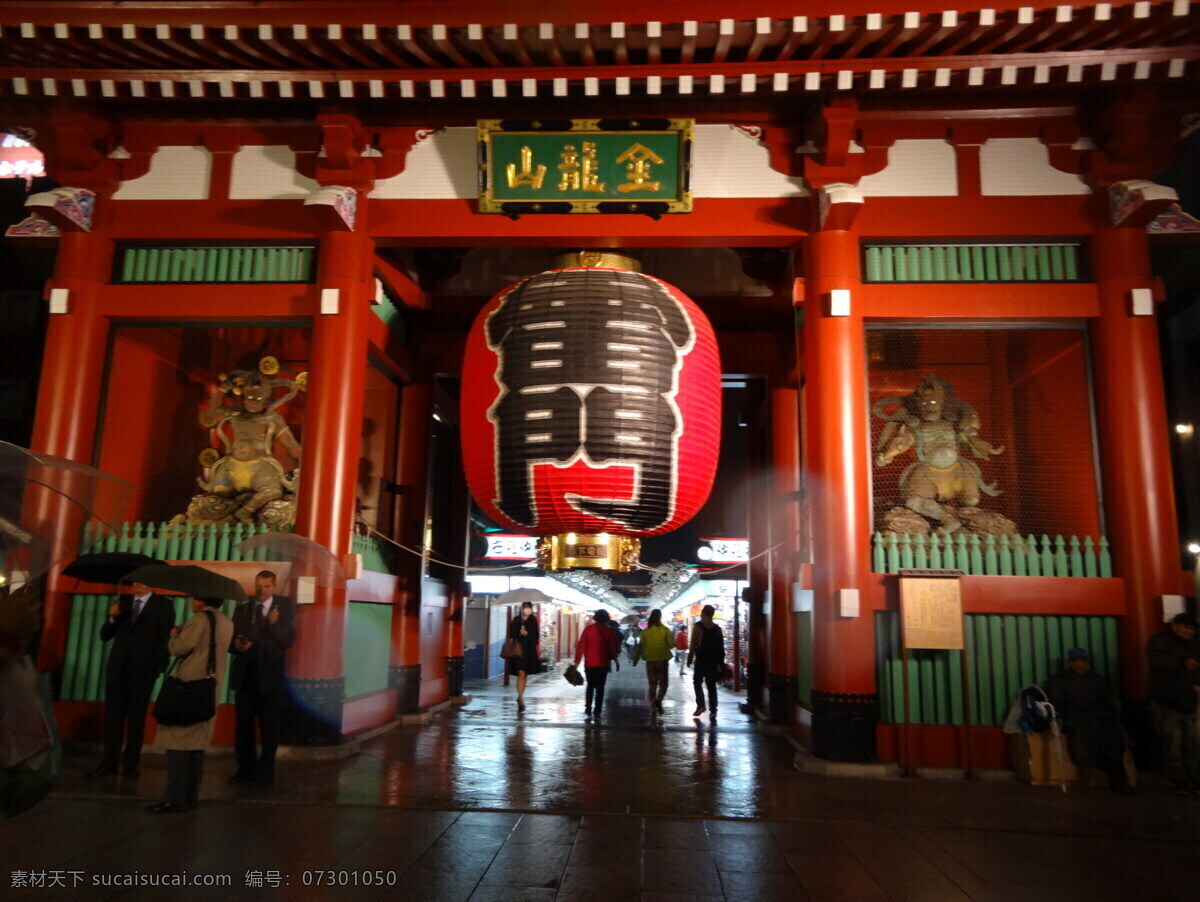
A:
785, 438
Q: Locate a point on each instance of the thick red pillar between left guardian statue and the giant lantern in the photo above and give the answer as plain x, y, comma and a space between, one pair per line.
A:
329, 471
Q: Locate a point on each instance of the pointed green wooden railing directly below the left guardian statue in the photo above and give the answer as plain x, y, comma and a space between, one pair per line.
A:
184, 542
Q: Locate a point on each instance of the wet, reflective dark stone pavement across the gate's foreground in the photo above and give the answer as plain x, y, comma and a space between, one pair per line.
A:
487, 803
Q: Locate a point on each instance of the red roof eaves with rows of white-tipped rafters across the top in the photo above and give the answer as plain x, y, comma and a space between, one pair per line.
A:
447, 52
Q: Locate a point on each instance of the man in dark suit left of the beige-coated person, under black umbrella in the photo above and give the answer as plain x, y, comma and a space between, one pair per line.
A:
139, 627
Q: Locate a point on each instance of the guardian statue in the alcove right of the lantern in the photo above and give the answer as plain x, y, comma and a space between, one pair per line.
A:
941, 485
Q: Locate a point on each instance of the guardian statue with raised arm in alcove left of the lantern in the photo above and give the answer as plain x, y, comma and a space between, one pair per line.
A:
245, 482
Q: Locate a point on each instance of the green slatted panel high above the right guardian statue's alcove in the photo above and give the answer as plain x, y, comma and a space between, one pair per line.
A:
932, 262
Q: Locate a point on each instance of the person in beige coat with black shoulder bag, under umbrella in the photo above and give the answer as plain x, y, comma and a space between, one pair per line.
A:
207, 634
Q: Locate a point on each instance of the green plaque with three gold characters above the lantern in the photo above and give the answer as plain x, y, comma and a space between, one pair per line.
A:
585, 166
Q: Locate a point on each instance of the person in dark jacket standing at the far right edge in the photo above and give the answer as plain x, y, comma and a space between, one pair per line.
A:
1174, 691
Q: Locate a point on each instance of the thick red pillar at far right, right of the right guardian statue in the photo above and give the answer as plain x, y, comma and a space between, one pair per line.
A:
1136, 460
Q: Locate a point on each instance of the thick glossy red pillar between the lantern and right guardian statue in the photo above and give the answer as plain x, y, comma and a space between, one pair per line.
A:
845, 703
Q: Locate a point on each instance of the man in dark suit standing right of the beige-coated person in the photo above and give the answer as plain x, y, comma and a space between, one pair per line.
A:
263, 632
